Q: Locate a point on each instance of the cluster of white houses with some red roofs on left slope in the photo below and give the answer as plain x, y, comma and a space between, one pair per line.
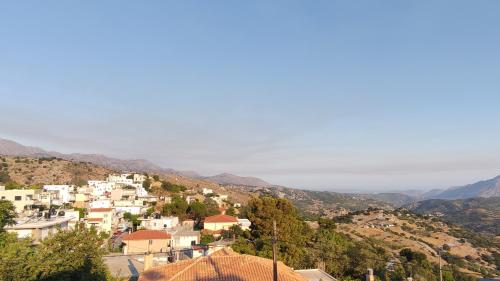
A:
132, 210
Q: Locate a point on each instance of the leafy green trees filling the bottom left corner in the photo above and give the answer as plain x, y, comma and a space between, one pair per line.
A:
64, 256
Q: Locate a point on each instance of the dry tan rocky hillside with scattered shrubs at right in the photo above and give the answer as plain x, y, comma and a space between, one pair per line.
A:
396, 230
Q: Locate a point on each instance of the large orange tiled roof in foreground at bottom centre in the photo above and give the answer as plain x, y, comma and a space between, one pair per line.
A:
223, 265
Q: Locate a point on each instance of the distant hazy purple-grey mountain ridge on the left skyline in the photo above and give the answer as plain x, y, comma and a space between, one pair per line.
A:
12, 148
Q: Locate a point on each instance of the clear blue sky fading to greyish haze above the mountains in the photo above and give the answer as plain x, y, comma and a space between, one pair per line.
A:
332, 95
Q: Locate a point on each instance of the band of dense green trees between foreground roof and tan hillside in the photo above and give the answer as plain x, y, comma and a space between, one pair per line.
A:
299, 246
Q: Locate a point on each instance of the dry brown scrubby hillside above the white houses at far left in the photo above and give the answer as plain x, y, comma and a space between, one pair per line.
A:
37, 171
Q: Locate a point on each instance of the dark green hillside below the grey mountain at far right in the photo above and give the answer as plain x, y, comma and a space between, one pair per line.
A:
478, 214
